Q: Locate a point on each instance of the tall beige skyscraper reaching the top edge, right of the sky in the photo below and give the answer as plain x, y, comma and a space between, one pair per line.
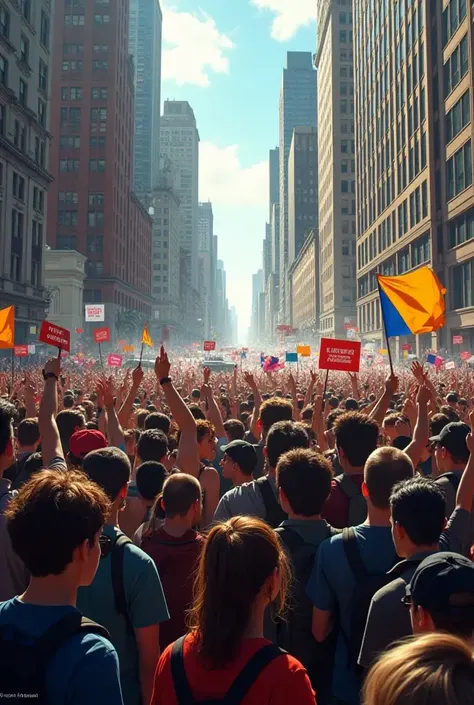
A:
336, 167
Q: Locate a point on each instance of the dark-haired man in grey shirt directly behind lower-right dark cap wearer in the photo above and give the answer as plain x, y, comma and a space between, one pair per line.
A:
419, 529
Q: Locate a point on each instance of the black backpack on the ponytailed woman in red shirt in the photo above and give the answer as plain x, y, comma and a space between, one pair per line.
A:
239, 688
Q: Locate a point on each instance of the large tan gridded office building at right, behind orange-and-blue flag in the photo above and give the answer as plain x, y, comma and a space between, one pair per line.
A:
414, 139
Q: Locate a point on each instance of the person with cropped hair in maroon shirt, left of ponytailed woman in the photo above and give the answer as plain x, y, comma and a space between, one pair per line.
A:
175, 548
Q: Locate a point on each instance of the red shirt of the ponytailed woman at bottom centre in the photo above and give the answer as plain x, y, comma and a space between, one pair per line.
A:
283, 681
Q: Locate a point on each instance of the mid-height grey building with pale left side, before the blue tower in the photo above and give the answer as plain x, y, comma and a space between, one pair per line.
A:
302, 188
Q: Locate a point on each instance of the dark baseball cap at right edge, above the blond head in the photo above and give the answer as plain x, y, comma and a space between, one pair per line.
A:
441, 582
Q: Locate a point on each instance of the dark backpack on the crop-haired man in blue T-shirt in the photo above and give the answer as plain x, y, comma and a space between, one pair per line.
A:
367, 584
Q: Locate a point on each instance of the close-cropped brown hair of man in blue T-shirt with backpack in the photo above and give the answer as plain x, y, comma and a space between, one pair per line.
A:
385, 467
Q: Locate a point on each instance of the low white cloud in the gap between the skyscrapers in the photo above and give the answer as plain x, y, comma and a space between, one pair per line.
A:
224, 180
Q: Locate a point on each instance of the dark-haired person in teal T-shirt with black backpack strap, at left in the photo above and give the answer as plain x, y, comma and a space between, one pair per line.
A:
126, 594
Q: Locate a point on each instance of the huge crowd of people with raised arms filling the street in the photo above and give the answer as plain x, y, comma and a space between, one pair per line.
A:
175, 537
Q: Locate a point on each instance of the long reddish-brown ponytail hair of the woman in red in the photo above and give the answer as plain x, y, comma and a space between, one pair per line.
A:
238, 557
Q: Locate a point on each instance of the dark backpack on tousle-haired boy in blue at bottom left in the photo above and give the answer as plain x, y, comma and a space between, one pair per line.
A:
23, 665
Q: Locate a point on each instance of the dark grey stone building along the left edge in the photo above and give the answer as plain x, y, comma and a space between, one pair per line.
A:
24, 158
